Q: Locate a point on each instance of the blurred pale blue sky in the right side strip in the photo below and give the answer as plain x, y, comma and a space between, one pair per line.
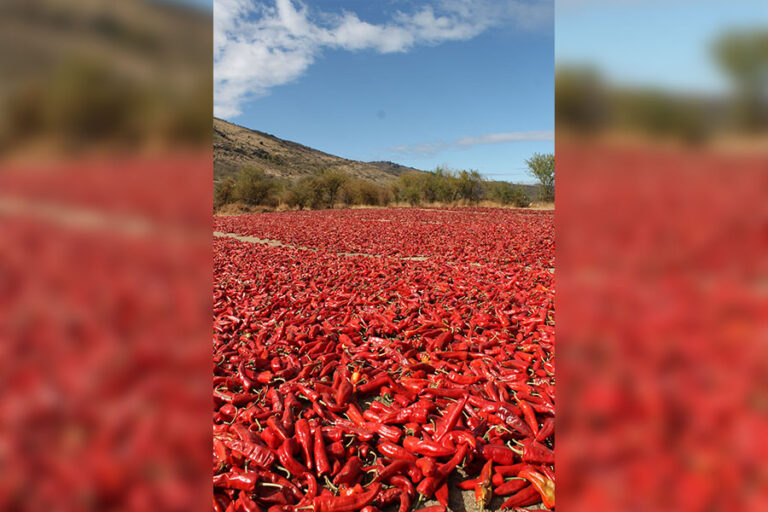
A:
652, 42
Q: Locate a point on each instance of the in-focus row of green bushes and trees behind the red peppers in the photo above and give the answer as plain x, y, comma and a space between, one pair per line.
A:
326, 189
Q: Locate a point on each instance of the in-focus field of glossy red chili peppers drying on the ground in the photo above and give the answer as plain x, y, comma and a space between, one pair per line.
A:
395, 359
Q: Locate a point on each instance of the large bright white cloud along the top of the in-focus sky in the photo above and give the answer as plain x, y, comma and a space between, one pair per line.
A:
259, 46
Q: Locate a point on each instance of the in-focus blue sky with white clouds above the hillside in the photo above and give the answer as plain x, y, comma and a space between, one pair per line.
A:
445, 82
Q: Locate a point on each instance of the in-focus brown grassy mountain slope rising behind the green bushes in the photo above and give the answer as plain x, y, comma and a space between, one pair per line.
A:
235, 147
